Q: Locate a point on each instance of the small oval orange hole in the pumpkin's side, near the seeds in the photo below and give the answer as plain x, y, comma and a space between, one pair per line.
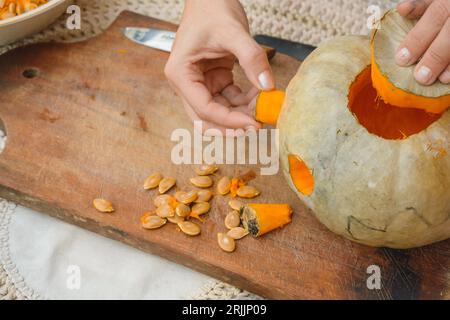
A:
301, 176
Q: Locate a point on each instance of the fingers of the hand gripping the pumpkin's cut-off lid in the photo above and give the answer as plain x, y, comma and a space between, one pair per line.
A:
428, 41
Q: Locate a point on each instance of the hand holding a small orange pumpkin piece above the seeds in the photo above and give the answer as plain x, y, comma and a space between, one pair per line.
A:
212, 34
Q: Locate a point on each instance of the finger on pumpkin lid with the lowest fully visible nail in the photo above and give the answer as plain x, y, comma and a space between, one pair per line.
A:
436, 60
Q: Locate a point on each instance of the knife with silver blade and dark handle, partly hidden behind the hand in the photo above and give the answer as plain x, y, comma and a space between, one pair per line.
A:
163, 40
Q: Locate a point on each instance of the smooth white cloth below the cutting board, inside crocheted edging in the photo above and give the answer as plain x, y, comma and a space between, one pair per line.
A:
48, 252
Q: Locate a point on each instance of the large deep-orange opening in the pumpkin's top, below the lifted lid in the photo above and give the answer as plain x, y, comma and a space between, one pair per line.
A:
382, 119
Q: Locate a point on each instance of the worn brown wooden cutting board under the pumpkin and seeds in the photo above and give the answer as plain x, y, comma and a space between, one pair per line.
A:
93, 119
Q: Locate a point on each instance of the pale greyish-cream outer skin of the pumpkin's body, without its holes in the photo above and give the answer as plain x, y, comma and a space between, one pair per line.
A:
375, 191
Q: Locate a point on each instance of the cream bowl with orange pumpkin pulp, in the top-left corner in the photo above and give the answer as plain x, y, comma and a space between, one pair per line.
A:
23, 25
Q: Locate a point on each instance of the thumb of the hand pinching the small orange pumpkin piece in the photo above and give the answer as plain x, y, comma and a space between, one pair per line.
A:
253, 59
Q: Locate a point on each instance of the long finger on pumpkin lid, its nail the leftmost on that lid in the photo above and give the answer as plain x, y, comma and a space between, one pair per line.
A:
424, 32
